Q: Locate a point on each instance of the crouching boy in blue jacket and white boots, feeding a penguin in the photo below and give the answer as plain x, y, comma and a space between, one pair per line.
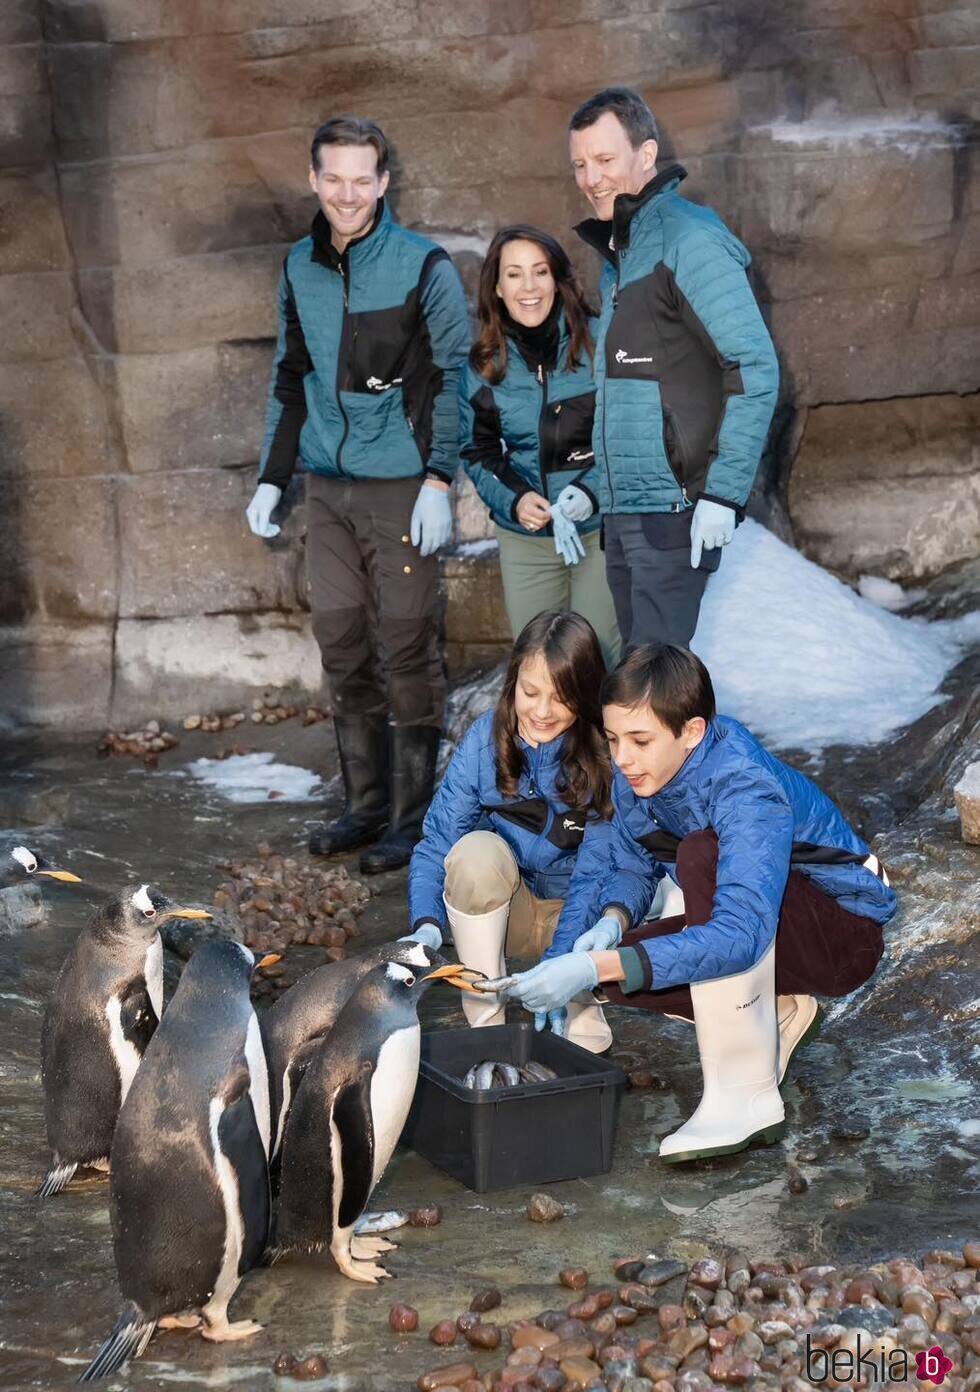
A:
783, 900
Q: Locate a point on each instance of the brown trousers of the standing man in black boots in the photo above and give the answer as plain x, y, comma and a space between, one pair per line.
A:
374, 601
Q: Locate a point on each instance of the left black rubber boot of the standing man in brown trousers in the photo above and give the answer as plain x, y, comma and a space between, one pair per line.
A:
364, 762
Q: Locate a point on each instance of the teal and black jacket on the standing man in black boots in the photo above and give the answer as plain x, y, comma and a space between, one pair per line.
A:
371, 347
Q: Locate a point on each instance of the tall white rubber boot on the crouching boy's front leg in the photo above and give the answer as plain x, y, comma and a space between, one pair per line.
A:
738, 1042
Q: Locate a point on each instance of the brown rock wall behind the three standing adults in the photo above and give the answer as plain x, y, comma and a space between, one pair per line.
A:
152, 173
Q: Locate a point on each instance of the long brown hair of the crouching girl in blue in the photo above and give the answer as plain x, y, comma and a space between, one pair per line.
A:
569, 645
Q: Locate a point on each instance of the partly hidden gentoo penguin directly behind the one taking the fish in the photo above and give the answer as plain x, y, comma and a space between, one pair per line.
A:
304, 1015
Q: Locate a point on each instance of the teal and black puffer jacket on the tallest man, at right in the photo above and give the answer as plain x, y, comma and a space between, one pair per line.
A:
686, 370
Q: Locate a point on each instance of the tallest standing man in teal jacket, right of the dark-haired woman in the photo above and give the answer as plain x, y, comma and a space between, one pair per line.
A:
686, 372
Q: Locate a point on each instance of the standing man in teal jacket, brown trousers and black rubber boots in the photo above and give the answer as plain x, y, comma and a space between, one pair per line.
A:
372, 336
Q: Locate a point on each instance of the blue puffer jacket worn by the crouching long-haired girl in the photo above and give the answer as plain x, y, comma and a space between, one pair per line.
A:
544, 832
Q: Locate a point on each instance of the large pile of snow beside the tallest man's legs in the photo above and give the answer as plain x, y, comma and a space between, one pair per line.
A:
807, 663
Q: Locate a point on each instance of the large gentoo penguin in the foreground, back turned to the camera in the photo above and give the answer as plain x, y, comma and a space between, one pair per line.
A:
190, 1163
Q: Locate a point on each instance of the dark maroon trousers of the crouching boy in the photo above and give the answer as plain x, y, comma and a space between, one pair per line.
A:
821, 949
